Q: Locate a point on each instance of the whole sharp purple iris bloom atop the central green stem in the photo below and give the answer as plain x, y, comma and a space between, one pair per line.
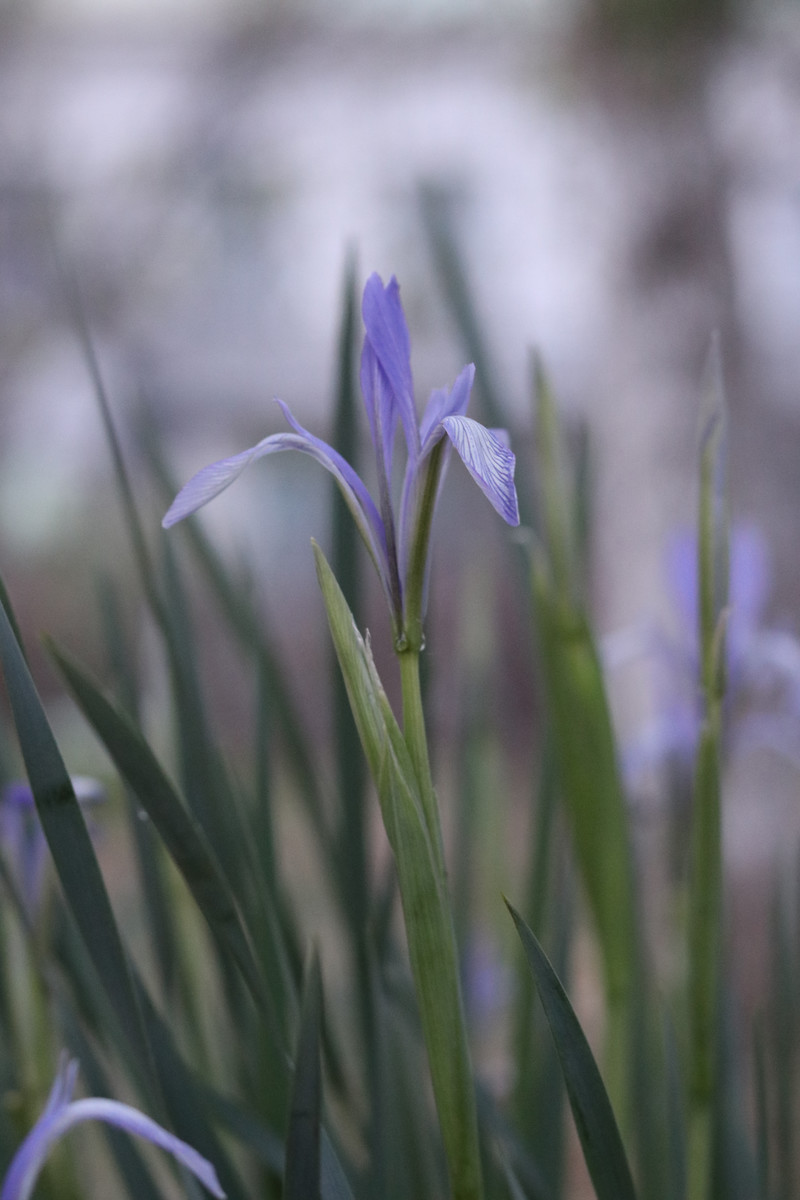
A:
396, 526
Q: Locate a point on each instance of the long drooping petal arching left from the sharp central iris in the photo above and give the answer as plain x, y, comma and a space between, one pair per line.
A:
212, 481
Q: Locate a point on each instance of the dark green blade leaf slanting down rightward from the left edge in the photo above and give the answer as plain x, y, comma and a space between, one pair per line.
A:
69, 839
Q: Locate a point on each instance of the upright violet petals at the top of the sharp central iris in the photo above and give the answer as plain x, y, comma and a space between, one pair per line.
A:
388, 341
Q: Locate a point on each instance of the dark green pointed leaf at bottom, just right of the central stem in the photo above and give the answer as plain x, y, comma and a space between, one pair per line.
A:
594, 1119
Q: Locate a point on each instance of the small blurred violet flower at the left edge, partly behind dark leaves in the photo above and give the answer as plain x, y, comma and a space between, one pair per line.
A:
22, 841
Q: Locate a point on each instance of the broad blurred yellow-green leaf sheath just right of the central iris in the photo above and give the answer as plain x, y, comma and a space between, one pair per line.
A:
584, 745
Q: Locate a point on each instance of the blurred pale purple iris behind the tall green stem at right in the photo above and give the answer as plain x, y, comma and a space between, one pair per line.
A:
762, 705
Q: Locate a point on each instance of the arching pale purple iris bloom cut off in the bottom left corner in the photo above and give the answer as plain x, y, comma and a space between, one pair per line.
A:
62, 1113
